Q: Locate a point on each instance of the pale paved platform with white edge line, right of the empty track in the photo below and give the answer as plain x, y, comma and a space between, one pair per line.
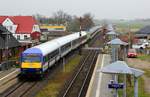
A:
98, 86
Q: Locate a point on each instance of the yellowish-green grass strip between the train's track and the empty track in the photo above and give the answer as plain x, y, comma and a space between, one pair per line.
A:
54, 86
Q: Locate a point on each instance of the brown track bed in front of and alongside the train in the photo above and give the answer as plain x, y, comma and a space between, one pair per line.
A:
29, 88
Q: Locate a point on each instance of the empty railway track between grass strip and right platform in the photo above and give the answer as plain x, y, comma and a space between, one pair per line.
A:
79, 83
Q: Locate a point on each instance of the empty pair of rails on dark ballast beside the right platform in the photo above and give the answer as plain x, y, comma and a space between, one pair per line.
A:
84, 70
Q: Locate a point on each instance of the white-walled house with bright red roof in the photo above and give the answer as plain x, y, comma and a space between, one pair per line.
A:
22, 27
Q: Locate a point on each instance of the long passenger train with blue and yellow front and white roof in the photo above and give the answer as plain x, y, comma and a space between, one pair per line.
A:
37, 59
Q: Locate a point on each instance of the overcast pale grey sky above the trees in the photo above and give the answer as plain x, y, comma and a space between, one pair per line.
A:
109, 9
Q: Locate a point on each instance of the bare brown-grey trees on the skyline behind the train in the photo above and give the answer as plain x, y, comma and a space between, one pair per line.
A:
71, 22
